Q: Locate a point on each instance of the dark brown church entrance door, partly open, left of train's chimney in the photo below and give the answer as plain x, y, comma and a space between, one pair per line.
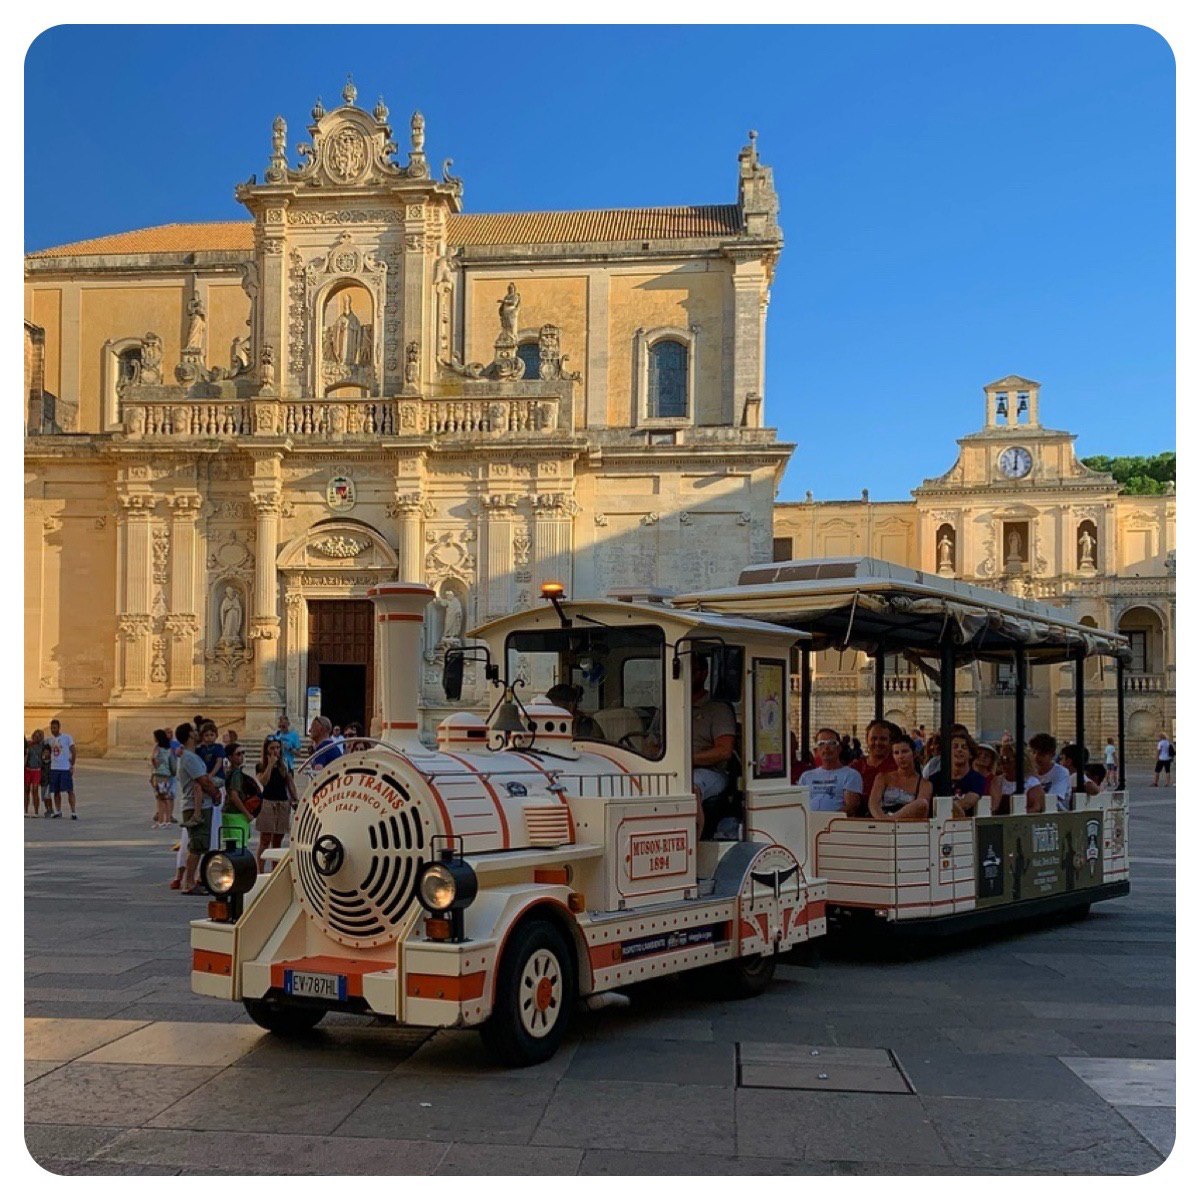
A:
341, 659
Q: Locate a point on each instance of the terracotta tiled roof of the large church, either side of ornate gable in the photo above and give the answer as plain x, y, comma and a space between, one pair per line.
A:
465, 230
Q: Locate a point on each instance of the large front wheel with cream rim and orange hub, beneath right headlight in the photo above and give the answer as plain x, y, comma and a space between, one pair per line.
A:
535, 994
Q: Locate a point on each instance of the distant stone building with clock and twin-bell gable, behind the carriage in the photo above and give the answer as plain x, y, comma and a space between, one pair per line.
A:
1017, 513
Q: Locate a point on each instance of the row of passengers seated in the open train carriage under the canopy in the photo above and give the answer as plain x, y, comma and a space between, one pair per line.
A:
895, 776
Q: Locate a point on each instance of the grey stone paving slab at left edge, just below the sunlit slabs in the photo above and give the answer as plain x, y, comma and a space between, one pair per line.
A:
104, 1094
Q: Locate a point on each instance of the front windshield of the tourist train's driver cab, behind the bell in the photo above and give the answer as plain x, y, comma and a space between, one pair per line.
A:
610, 679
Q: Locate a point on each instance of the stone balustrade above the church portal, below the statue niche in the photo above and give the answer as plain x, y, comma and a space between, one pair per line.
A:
339, 419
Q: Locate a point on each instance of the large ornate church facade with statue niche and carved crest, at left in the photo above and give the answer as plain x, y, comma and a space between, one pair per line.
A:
237, 429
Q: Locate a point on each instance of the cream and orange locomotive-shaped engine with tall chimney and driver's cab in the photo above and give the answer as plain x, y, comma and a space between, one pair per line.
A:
538, 856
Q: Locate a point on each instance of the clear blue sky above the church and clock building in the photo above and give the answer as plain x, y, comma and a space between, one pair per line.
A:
958, 202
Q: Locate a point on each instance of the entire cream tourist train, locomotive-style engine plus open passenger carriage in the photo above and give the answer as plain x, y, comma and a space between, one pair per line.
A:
539, 856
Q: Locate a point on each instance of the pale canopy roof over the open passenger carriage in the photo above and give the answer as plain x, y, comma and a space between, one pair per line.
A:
881, 608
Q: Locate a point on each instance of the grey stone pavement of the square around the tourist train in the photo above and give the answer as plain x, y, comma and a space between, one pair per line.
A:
1051, 1051
